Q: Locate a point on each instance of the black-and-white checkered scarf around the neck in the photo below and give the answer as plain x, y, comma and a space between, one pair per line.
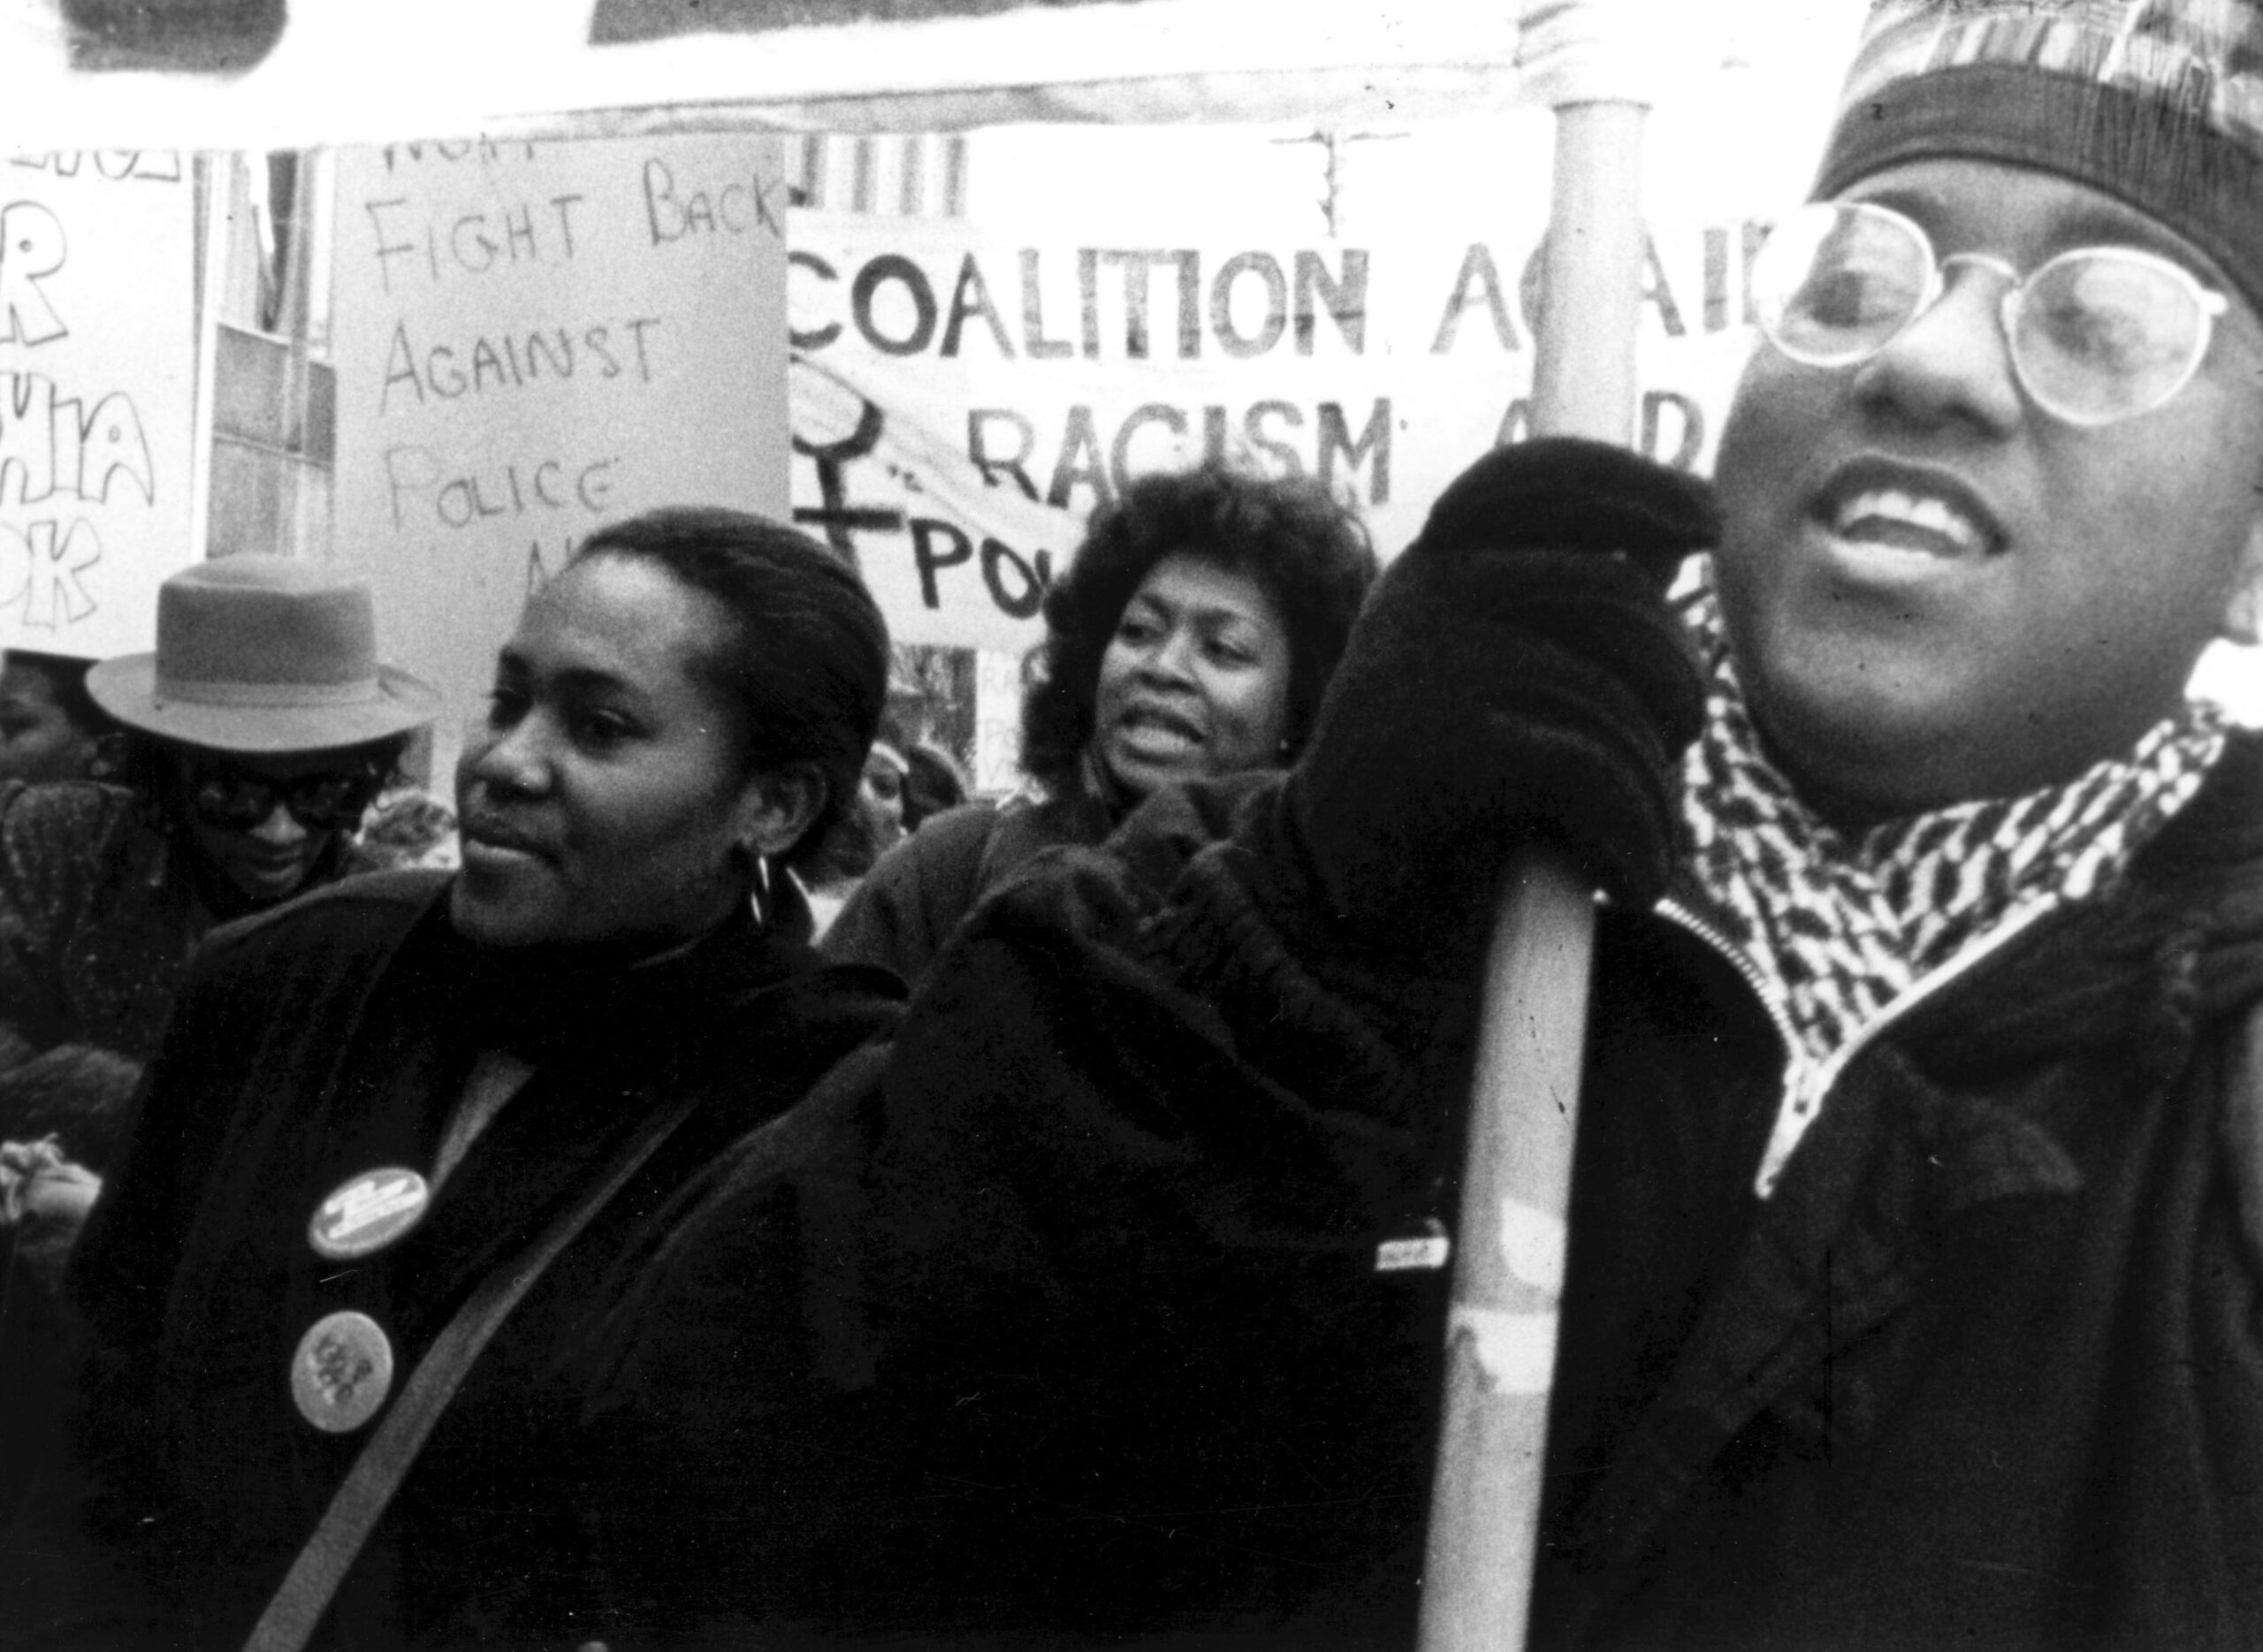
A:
1843, 924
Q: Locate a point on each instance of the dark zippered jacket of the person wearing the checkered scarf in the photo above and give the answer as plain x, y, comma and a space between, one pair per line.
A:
1981, 1373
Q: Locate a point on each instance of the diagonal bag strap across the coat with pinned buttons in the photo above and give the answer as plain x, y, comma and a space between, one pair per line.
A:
386, 1461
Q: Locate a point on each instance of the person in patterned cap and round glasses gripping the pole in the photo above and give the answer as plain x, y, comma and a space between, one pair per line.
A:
1909, 1287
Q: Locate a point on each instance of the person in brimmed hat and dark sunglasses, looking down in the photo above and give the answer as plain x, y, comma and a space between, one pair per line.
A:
261, 730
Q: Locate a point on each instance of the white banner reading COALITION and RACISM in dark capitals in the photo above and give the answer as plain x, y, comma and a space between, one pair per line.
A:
961, 404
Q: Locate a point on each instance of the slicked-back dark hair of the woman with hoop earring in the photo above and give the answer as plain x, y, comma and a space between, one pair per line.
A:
809, 666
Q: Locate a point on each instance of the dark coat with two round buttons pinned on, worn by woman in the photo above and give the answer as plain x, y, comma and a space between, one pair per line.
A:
574, 1490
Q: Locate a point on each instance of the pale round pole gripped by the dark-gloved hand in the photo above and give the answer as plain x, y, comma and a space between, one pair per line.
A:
1508, 1268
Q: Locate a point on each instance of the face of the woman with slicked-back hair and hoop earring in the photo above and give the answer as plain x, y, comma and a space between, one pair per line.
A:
603, 798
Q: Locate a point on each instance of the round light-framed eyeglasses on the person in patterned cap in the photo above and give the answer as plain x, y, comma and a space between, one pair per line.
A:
2097, 334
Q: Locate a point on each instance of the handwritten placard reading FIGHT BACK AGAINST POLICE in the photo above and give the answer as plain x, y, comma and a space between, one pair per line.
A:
535, 338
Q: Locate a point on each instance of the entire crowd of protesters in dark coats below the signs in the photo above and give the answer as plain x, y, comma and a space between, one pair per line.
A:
571, 1248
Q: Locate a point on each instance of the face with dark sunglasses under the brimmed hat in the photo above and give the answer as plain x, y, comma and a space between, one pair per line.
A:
266, 820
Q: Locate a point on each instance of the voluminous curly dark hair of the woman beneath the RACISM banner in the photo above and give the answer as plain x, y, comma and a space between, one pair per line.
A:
1305, 549
